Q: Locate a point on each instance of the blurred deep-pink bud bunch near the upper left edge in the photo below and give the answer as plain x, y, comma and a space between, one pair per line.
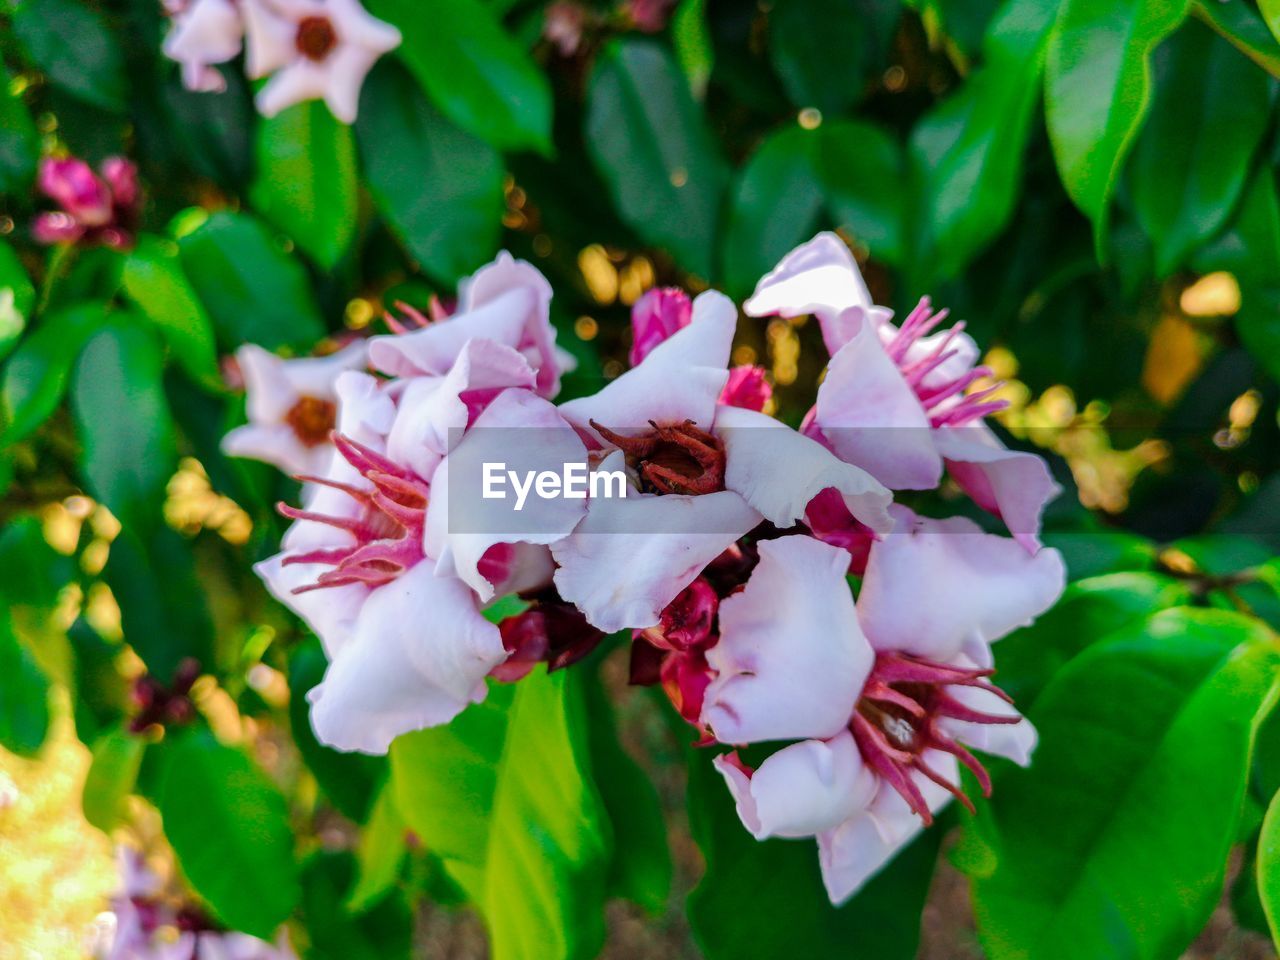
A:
97, 208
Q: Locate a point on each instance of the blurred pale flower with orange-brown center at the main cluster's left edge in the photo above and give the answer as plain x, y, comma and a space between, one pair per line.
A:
292, 408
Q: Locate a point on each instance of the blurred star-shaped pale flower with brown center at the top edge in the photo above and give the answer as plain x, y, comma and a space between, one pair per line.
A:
314, 51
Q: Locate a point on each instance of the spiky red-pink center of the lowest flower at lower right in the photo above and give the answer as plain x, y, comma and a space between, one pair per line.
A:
900, 717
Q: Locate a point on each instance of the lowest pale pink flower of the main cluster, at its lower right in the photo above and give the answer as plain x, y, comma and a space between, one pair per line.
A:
885, 697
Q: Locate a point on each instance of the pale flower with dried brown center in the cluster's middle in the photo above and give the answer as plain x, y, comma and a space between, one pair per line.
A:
703, 476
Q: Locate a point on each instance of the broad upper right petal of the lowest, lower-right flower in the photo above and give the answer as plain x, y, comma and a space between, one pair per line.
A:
932, 586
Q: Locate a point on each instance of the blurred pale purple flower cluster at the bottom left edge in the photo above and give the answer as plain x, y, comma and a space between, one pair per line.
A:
149, 925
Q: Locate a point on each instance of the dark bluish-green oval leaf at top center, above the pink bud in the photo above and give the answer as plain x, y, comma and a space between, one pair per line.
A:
650, 140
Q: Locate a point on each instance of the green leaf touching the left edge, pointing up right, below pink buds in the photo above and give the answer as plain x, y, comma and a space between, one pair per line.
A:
35, 378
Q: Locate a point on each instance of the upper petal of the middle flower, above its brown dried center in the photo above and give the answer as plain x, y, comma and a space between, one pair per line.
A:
682, 380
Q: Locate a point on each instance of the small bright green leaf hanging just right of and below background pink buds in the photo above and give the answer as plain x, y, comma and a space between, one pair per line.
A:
156, 282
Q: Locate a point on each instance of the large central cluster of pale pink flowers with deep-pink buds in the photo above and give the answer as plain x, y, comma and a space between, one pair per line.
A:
769, 582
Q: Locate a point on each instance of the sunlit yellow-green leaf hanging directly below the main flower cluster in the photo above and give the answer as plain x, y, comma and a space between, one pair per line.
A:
504, 797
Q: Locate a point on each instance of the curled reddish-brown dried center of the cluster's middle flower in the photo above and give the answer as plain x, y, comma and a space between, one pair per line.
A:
673, 459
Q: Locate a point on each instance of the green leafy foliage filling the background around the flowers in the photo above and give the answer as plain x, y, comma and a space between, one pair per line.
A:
1091, 185
